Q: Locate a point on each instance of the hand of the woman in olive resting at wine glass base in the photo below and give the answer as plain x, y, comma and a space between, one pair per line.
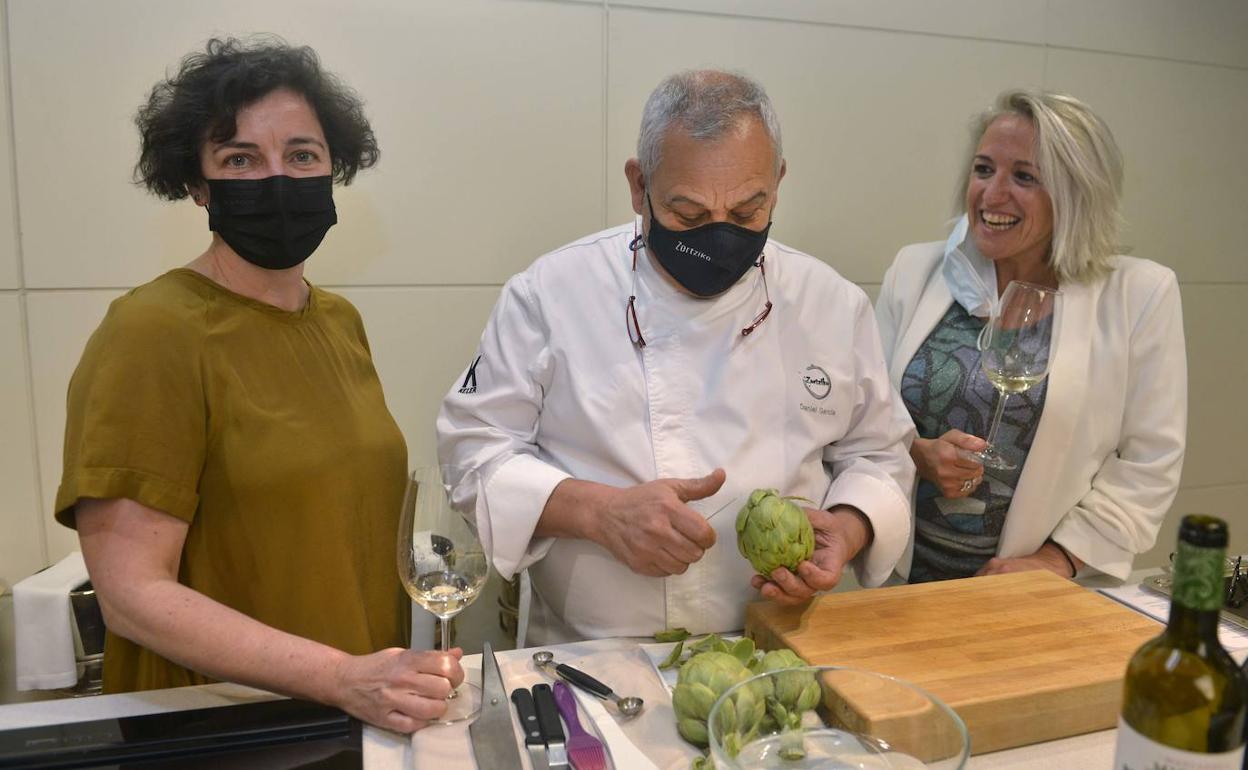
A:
397, 690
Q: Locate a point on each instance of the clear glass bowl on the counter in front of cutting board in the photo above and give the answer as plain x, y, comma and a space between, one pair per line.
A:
862, 722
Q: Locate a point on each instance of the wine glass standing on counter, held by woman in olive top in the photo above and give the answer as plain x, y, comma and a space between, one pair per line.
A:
441, 562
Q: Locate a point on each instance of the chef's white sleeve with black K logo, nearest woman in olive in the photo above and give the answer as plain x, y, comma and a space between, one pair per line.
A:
487, 429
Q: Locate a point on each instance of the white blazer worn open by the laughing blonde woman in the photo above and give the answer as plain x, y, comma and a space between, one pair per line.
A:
1105, 465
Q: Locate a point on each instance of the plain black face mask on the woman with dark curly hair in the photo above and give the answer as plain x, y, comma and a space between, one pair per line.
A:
275, 223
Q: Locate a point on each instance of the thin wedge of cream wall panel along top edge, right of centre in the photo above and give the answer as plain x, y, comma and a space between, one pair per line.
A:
1018, 21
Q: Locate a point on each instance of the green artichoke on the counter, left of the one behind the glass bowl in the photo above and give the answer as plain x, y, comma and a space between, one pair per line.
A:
702, 681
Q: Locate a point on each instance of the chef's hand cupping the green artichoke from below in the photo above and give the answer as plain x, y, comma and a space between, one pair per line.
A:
841, 535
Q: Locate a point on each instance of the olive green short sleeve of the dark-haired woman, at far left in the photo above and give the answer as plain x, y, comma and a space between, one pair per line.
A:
135, 416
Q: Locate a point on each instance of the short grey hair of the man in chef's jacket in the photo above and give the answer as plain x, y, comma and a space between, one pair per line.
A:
707, 104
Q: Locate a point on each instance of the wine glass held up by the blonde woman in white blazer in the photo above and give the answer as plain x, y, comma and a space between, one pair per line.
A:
1015, 350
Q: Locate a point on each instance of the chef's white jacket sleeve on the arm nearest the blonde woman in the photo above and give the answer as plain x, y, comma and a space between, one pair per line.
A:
870, 464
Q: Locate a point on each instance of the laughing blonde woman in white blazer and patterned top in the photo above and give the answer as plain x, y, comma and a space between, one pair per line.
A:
1104, 437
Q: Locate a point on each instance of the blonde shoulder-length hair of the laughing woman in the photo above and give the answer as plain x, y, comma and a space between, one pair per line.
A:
1080, 168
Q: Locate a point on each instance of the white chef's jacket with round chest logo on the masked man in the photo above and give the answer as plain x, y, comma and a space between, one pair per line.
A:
558, 390
